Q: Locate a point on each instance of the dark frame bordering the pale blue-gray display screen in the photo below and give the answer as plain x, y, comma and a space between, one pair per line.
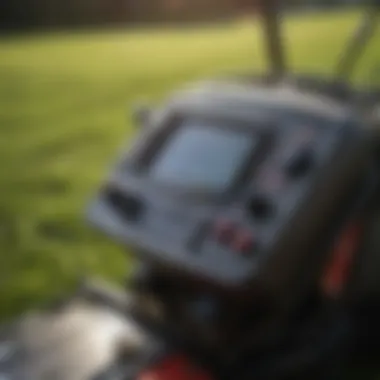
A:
254, 129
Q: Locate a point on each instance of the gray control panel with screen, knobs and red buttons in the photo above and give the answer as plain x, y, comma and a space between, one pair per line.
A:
235, 190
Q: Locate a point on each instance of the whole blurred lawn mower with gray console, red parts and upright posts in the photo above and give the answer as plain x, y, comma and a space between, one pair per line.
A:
251, 204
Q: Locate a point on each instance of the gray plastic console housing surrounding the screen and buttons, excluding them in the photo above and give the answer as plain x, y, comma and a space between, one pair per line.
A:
173, 228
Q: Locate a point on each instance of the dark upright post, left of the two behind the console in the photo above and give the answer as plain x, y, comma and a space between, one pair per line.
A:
270, 14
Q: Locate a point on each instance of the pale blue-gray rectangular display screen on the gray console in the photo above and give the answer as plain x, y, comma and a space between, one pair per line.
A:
202, 157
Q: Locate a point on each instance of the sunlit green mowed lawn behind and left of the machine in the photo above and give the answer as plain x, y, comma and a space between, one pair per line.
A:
64, 113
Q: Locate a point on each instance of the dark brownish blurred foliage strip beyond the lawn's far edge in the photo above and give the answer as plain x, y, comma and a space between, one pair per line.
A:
18, 15
